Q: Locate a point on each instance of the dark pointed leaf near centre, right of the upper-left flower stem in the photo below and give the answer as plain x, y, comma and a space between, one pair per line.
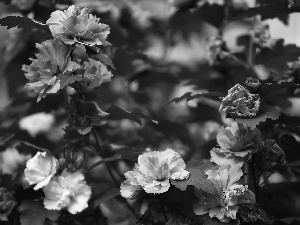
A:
117, 113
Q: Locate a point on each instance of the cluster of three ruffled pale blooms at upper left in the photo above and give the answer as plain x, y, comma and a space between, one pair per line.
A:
59, 63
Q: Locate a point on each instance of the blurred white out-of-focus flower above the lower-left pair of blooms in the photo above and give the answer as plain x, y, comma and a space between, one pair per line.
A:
37, 123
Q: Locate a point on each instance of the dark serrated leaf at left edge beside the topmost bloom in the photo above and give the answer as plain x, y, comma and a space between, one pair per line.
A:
23, 22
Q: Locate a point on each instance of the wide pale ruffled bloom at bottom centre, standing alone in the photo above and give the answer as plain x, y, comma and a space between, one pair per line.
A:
153, 173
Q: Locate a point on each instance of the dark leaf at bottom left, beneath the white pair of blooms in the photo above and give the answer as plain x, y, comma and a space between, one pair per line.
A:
34, 213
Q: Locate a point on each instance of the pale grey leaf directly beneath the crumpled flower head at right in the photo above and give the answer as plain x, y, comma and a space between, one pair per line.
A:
252, 123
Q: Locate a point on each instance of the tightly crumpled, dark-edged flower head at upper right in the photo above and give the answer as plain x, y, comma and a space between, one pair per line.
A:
239, 103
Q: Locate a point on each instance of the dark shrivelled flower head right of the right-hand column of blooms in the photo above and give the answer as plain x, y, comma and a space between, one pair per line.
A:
270, 157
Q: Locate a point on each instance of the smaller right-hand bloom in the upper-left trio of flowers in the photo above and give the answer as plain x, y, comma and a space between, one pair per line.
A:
95, 73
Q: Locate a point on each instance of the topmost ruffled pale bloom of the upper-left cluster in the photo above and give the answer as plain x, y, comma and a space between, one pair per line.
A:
75, 25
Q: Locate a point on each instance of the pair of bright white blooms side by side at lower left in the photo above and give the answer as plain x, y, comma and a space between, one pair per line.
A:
68, 190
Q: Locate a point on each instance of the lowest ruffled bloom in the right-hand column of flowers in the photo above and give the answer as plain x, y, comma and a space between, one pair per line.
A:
228, 195
